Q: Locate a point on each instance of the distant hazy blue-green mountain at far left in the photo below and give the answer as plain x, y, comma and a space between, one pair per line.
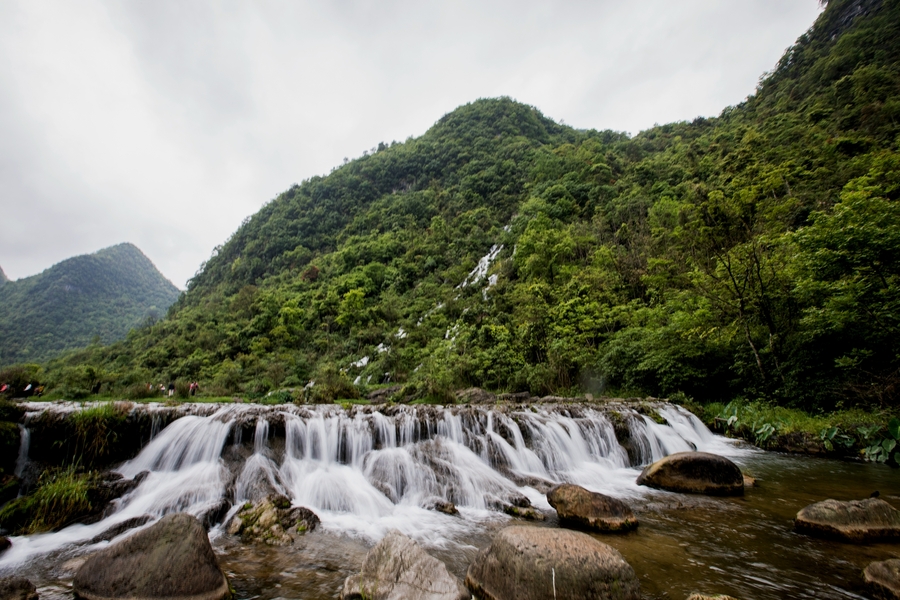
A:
94, 297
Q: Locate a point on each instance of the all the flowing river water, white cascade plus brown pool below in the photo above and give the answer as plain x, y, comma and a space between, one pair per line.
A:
367, 470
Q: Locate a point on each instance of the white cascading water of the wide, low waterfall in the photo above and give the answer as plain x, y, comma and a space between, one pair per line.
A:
365, 472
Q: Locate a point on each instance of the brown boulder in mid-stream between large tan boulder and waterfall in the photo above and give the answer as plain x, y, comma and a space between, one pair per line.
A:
584, 509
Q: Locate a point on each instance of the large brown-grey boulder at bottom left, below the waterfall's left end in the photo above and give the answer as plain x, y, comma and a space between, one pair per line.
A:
170, 559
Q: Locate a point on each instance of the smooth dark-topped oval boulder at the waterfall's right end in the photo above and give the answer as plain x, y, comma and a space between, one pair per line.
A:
694, 473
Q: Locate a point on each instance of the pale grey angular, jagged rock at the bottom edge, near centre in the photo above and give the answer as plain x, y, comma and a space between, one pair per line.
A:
398, 569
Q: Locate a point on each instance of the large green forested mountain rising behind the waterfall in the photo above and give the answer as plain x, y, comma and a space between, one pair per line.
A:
752, 255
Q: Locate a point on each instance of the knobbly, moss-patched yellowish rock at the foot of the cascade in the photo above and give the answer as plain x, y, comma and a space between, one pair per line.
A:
272, 521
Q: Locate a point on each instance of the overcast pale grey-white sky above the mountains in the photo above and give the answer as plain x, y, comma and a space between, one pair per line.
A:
167, 123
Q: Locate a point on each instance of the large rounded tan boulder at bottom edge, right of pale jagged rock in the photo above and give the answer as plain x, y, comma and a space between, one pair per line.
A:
534, 563
